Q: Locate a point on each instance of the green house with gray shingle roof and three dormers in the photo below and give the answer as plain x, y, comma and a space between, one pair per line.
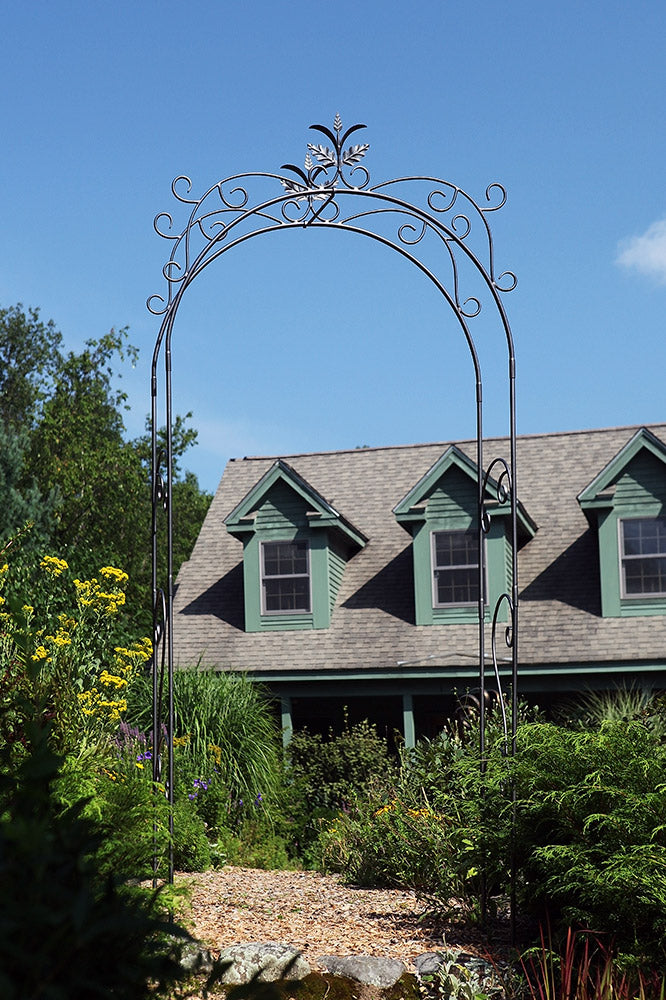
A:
348, 578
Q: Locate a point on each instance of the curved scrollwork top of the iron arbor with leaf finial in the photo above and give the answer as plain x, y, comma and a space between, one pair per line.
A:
438, 221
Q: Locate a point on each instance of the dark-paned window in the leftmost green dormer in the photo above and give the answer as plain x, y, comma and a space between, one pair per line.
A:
285, 577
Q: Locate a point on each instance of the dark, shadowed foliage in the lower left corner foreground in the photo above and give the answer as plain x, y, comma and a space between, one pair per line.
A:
64, 933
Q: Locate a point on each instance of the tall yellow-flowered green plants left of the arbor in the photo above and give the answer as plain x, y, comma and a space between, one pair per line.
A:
60, 653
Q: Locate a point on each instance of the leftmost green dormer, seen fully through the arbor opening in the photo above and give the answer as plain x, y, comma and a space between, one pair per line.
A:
295, 548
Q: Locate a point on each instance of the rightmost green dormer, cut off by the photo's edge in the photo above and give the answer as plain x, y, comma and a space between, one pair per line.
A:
626, 504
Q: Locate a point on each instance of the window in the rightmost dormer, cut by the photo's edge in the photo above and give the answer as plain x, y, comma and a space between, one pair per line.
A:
643, 556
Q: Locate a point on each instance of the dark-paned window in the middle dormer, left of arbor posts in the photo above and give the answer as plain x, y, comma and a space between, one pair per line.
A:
455, 561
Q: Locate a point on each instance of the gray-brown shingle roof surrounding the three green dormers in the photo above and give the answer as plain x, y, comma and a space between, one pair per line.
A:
373, 621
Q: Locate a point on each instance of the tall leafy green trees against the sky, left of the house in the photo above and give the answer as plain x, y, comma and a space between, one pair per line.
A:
67, 466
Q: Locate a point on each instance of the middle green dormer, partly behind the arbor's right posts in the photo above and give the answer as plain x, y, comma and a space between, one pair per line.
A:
441, 514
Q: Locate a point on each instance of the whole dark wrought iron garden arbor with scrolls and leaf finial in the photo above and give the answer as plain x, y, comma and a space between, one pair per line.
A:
433, 224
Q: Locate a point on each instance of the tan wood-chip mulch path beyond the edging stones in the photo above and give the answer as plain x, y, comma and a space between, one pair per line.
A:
316, 914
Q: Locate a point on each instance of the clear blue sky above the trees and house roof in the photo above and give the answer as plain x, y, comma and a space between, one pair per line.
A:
308, 341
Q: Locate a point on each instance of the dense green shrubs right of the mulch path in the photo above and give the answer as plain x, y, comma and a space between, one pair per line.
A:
590, 839
